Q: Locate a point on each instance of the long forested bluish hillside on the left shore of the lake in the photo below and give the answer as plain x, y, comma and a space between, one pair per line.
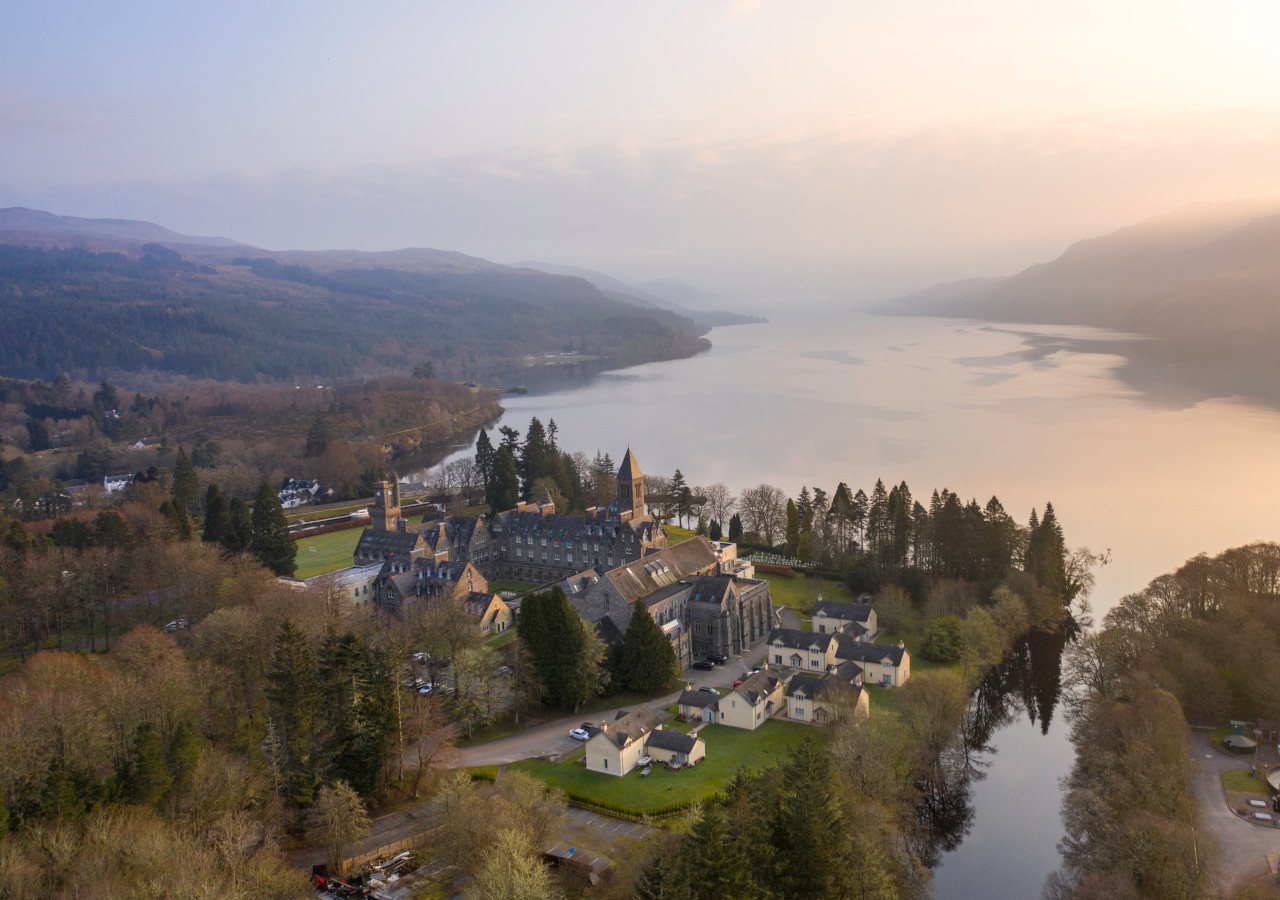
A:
94, 298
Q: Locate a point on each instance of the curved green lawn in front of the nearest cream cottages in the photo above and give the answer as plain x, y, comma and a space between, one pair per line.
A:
729, 751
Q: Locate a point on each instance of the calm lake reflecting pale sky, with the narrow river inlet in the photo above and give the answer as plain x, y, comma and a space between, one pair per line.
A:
1030, 414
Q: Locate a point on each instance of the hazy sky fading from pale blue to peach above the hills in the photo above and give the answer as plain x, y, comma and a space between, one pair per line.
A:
862, 141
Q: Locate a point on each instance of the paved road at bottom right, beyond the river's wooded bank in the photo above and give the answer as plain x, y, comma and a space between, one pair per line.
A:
1244, 848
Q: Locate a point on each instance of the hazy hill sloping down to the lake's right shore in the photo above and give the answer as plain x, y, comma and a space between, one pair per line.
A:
1204, 281
